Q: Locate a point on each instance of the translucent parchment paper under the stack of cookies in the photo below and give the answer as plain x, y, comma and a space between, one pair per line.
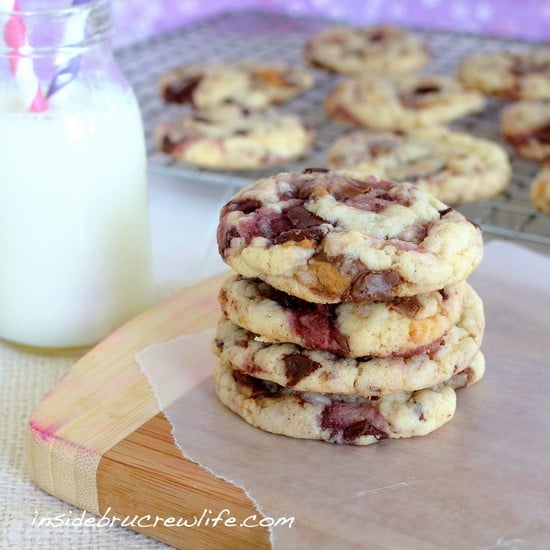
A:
481, 481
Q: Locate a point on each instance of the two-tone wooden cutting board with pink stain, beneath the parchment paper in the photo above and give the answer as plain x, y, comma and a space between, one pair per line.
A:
98, 440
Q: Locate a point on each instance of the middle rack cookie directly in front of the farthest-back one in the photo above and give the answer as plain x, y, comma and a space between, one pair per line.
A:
409, 101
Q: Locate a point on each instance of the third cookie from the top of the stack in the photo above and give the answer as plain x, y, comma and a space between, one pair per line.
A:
319, 371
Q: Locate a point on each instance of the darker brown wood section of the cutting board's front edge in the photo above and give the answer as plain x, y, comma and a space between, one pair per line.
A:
145, 474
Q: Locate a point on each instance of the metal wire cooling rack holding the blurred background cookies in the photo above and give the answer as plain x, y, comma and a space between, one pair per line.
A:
269, 37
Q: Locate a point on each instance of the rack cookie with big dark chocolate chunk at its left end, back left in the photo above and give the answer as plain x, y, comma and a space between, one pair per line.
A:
251, 84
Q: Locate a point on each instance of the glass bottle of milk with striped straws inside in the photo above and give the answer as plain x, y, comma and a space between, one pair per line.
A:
75, 256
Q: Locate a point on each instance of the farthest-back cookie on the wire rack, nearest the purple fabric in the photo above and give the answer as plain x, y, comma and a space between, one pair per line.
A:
355, 50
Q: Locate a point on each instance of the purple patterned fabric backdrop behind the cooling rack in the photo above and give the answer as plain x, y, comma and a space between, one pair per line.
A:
527, 19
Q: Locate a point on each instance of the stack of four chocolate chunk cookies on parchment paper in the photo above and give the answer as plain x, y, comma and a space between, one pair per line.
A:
350, 319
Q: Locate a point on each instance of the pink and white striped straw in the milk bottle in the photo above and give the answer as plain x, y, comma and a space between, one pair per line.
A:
21, 64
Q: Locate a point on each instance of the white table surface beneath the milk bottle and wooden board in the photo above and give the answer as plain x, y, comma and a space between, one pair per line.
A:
183, 219
